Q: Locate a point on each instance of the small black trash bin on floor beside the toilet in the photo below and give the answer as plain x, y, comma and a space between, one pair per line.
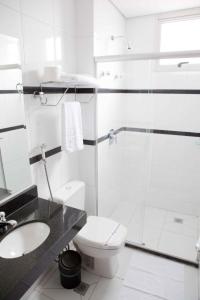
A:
70, 269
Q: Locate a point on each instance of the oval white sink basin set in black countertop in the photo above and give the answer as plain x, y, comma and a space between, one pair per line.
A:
24, 239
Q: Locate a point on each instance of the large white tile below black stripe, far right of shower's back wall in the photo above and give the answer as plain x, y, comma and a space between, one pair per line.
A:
173, 179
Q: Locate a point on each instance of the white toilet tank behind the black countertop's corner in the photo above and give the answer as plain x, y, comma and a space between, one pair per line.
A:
71, 194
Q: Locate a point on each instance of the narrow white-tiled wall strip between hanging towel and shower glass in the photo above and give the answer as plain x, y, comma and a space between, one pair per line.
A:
85, 65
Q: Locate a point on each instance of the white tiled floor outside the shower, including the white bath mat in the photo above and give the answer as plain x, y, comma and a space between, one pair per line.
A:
140, 277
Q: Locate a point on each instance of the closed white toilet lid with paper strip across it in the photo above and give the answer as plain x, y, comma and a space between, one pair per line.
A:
102, 233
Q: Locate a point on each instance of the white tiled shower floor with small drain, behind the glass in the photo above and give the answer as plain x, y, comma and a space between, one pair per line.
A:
160, 230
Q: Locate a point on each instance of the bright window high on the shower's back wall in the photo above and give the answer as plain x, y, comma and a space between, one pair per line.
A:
180, 34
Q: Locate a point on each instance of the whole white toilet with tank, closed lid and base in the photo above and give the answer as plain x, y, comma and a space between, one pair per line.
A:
100, 240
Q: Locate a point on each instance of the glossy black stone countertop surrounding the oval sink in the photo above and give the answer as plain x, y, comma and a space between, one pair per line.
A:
18, 274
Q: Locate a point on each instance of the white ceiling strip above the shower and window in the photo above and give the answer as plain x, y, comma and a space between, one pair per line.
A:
134, 8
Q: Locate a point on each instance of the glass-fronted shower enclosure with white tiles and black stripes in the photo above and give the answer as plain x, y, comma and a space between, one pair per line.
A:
149, 171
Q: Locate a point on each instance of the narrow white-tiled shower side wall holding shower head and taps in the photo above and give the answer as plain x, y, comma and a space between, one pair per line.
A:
107, 22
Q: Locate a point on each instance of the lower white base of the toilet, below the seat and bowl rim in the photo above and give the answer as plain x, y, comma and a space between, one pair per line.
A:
105, 267
